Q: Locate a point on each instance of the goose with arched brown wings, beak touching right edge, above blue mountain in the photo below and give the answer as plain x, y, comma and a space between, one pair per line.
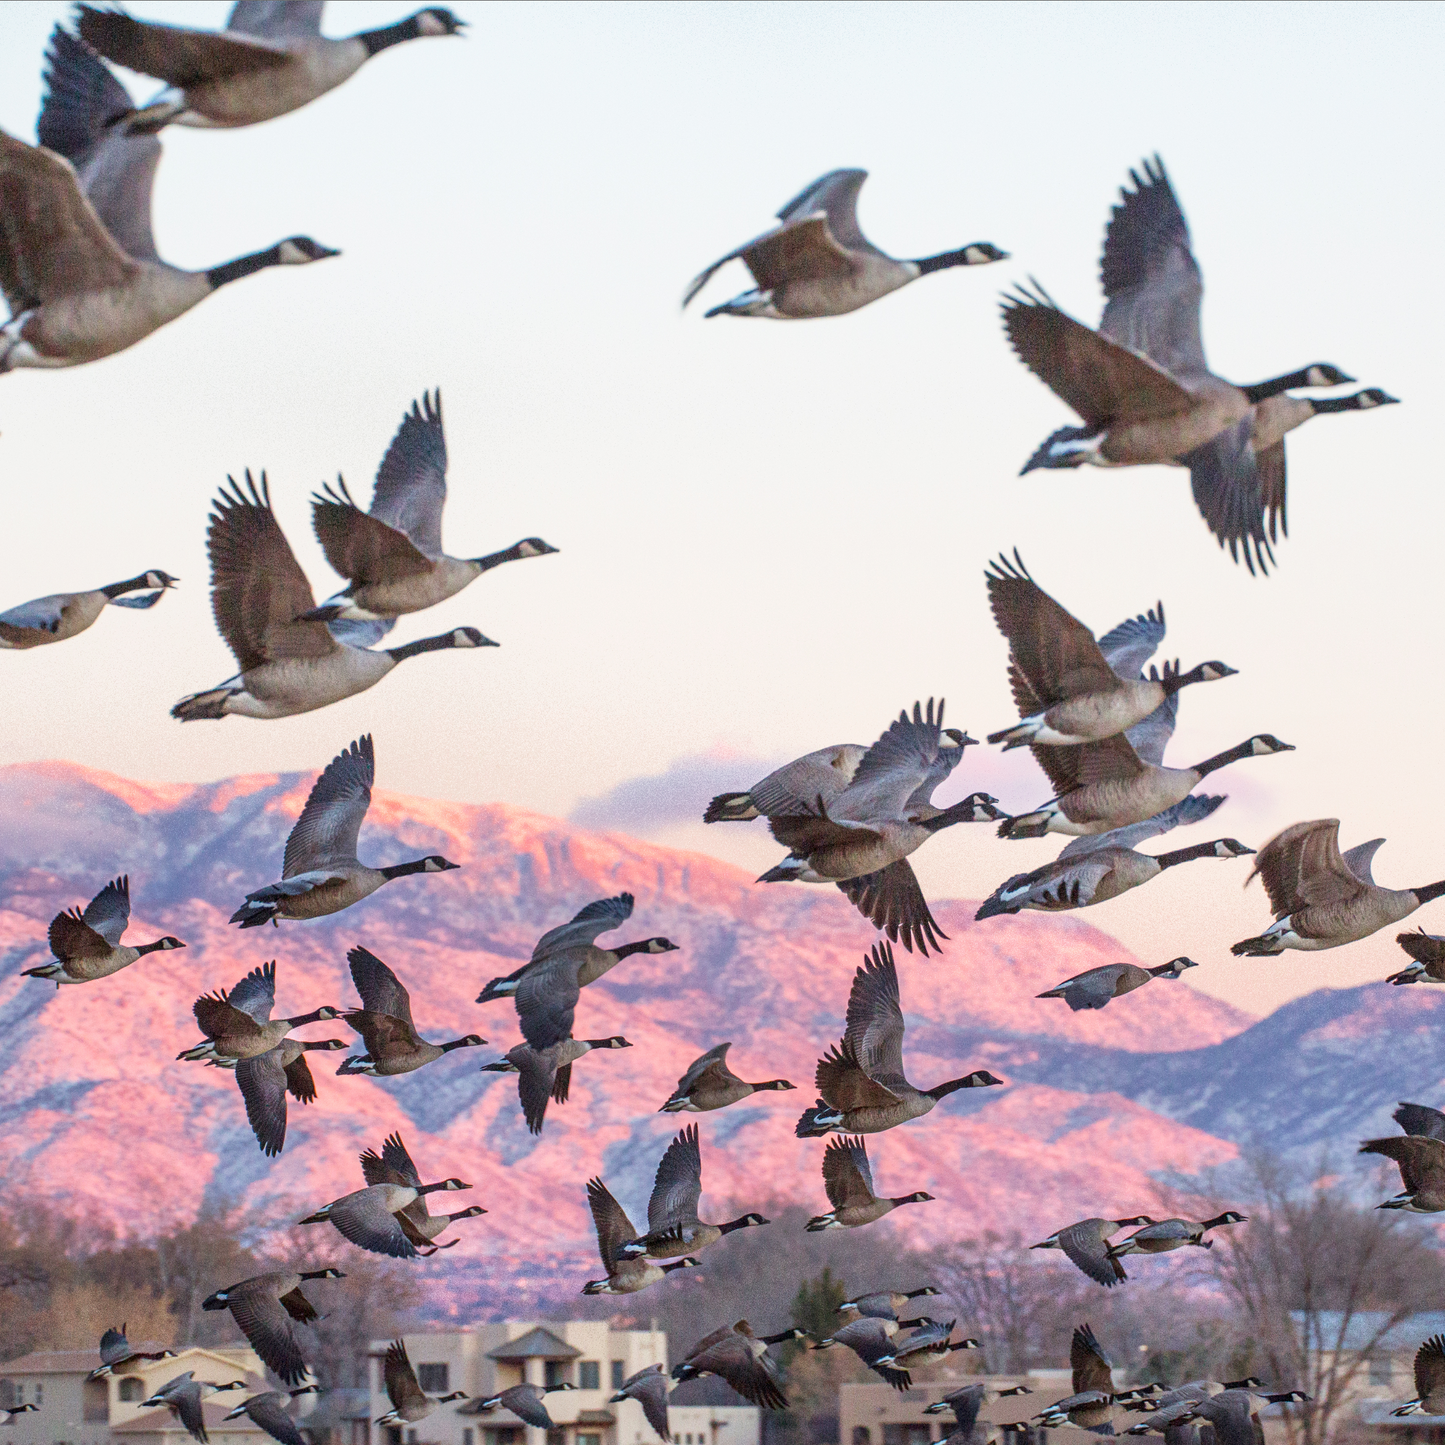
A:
1323, 898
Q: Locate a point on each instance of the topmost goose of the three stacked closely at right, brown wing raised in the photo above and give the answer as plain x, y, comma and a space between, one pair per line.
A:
1073, 690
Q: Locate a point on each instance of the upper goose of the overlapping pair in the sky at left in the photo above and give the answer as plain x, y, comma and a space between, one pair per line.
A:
392, 556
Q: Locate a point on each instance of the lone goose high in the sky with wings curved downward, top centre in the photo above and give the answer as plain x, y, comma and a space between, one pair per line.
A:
819, 264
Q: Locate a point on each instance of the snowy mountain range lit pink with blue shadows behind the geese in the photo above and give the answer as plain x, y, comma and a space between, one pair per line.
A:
1099, 1106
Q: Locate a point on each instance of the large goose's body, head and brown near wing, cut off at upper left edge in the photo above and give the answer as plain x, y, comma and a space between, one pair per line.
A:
74, 294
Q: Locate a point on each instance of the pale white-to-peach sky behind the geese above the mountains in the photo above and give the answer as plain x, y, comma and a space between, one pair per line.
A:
772, 534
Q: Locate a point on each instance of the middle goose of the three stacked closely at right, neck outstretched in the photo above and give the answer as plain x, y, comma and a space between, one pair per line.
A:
1102, 787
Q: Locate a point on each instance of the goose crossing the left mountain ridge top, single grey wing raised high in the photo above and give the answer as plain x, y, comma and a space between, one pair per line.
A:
320, 872
